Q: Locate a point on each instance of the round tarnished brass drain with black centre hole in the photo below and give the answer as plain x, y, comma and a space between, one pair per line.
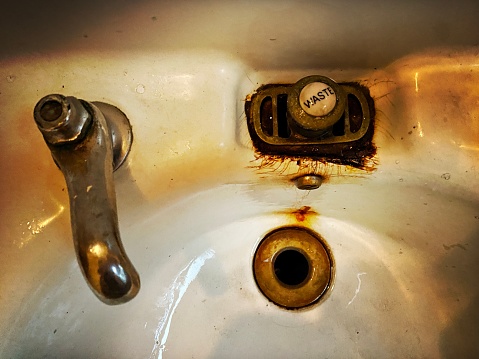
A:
292, 267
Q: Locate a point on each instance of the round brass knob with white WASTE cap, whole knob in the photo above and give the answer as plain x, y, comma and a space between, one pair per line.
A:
315, 103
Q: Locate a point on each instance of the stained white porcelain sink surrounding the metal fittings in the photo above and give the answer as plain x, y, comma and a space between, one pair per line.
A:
195, 200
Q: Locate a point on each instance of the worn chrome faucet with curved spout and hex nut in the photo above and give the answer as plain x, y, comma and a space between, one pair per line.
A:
88, 141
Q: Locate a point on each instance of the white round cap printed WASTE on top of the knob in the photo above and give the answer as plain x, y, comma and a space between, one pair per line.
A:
317, 99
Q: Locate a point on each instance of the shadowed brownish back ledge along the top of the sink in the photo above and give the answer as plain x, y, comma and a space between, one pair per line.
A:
328, 34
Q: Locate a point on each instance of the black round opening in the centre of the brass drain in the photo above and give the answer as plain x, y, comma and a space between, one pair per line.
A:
291, 267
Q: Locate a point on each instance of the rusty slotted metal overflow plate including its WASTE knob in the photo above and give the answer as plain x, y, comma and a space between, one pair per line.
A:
315, 118
